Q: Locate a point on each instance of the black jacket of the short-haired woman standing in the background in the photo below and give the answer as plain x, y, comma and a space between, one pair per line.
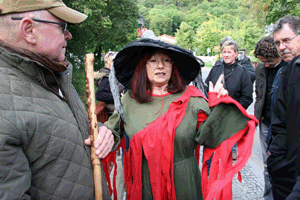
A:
237, 82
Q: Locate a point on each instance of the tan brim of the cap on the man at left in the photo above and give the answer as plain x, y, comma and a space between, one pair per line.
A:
68, 14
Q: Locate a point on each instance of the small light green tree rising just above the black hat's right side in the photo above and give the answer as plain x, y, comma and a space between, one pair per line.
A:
185, 36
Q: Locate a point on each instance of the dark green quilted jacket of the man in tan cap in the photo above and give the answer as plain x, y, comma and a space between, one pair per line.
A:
42, 150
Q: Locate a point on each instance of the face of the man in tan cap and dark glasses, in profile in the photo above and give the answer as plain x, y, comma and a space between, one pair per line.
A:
51, 39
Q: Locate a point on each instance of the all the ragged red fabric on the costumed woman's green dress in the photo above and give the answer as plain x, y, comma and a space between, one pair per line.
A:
159, 152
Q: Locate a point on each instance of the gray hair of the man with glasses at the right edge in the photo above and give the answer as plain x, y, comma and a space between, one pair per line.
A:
293, 21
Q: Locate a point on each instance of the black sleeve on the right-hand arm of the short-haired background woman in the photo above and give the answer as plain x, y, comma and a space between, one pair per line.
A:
247, 90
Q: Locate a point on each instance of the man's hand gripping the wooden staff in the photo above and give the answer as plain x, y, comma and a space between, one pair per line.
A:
104, 143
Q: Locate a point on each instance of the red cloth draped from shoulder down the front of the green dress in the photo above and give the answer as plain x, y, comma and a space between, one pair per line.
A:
156, 141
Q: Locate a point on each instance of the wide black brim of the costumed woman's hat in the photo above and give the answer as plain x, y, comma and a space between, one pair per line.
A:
127, 59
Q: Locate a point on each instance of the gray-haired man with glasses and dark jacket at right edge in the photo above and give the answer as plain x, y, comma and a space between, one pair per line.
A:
283, 163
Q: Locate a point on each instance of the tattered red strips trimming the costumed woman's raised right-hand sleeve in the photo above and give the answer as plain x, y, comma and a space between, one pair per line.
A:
219, 184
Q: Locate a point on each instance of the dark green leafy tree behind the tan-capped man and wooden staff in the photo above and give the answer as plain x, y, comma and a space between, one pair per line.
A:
110, 25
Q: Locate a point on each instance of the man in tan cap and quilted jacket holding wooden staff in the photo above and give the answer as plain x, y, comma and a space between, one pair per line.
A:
43, 122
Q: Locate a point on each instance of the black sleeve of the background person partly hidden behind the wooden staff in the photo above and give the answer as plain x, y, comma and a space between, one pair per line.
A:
103, 92
